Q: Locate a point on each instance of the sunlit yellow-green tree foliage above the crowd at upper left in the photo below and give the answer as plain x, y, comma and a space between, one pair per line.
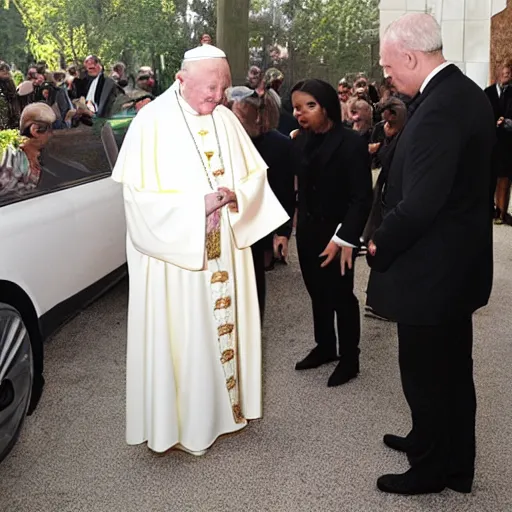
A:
142, 32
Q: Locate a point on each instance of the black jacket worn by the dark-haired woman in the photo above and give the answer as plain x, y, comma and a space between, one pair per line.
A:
335, 182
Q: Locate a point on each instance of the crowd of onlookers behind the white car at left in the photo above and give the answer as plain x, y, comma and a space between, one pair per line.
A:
34, 105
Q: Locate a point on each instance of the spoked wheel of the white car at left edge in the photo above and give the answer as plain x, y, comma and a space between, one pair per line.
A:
16, 376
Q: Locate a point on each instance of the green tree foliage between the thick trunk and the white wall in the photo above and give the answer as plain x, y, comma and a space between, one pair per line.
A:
324, 39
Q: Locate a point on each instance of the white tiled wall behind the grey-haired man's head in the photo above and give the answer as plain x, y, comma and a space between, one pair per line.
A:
466, 28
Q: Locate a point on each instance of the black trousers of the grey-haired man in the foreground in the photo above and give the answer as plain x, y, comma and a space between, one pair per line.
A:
436, 367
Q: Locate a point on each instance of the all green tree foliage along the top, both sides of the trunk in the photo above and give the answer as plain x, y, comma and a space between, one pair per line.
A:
323, 38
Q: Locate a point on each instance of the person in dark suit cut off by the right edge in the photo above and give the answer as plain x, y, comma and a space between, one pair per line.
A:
500, 96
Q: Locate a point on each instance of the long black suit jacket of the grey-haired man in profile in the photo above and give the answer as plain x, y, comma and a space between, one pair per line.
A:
434, 246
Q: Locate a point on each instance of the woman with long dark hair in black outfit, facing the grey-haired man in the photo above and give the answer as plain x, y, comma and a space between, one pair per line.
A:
335, 197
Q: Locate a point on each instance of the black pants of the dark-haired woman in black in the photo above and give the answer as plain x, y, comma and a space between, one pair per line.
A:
332, 295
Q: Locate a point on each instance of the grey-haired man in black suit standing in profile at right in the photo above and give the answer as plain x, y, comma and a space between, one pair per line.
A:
431, 257
